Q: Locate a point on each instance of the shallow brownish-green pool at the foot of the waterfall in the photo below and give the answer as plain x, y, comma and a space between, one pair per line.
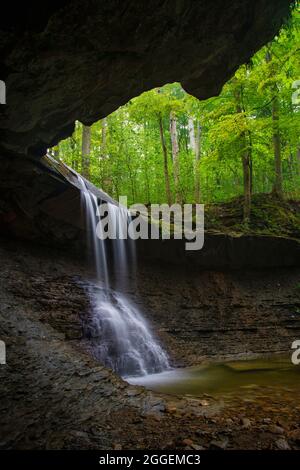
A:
238, 377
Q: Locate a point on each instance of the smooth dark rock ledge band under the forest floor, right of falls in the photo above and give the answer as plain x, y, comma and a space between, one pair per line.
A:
224, 251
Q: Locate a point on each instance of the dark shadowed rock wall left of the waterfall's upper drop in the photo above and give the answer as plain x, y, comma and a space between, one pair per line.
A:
41, 200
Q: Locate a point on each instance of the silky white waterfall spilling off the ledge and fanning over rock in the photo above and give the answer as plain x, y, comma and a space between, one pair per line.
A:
121, 337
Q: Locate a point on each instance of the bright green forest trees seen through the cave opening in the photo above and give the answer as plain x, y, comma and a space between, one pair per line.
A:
167, 146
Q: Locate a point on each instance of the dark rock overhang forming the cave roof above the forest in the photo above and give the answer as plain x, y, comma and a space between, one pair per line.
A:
71, 60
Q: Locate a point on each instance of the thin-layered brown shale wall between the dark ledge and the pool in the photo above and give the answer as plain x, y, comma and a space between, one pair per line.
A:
213, 314
